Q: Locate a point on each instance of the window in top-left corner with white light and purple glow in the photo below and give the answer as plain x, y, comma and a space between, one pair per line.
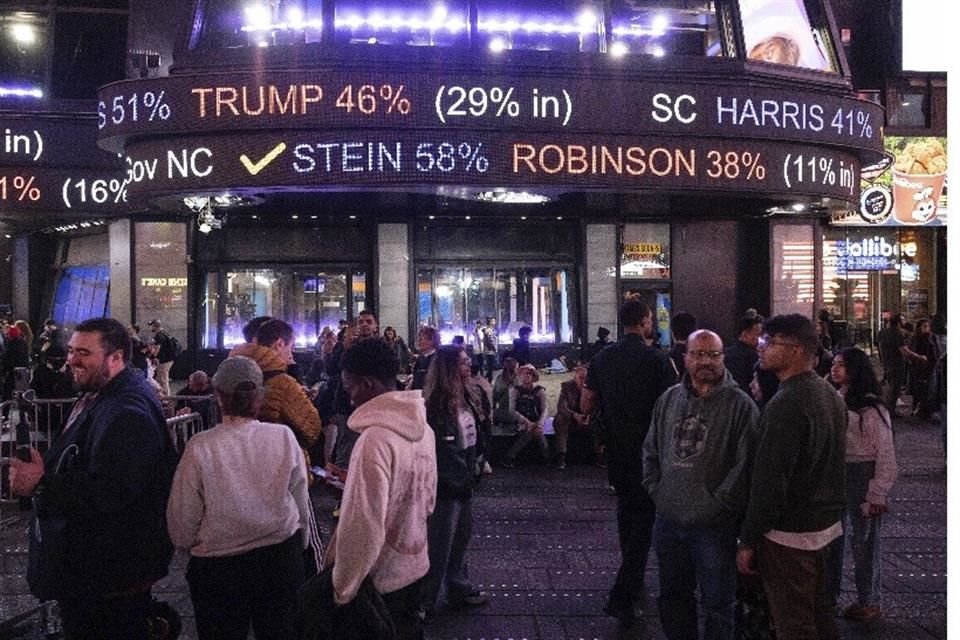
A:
23, 51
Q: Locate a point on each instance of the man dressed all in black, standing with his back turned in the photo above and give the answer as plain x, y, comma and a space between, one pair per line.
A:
624, 381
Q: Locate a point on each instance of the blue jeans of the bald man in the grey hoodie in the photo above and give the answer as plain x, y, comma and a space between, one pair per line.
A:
691, 557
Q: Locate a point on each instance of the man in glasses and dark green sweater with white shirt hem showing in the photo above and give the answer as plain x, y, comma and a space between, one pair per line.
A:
797, 485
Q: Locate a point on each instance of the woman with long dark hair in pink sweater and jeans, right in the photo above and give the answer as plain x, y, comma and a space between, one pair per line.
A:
871, 472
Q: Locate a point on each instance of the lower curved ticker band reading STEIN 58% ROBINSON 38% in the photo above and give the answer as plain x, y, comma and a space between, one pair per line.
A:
426, 159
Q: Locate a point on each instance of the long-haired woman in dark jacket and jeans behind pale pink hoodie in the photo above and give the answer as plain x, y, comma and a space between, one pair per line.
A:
456, 415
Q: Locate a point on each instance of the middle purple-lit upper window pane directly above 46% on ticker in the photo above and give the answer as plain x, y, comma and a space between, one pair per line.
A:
414, 23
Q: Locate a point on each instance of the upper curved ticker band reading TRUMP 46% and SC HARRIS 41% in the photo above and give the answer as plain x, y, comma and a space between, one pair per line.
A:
323, 100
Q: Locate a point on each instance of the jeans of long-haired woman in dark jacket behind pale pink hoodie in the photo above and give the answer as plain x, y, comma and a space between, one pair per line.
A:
448, 532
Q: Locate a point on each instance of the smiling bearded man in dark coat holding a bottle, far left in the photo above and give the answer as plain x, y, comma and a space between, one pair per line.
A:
98, 540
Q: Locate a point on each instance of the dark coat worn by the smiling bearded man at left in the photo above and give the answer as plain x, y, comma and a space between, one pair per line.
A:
99, 522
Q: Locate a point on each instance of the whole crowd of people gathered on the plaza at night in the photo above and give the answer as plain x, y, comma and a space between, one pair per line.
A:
744, 468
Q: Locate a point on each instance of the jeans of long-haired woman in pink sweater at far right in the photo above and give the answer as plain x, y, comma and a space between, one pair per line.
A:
863, 535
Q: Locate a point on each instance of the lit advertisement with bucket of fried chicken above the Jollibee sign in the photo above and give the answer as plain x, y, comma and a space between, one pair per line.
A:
912, 192
